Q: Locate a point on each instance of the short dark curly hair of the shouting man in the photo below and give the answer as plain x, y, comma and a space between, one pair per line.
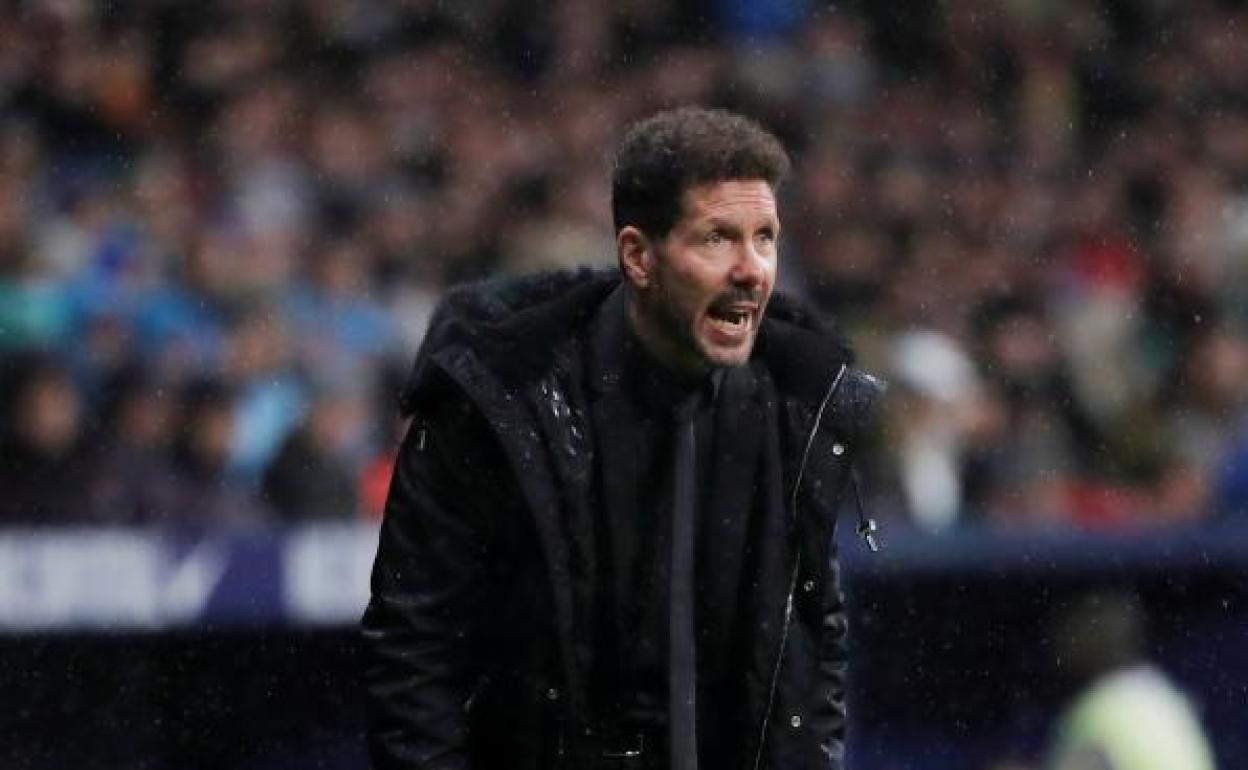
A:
663, 157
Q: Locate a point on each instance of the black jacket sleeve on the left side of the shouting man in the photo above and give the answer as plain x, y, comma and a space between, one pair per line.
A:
427, 588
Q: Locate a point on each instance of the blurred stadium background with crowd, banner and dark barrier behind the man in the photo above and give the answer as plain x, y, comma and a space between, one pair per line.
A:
224, 227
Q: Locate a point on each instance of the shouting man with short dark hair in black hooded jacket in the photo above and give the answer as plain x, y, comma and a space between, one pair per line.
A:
610, 537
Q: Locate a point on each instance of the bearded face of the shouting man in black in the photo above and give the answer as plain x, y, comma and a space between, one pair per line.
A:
708, 283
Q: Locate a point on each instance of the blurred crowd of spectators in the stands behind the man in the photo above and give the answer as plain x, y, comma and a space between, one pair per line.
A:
224, 228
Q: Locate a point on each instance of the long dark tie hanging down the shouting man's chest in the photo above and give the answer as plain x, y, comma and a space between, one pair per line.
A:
683, 662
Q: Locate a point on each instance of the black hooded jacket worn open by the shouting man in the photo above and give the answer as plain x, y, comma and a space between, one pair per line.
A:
476, 658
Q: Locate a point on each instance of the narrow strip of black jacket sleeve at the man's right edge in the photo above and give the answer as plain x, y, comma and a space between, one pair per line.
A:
833, 668
